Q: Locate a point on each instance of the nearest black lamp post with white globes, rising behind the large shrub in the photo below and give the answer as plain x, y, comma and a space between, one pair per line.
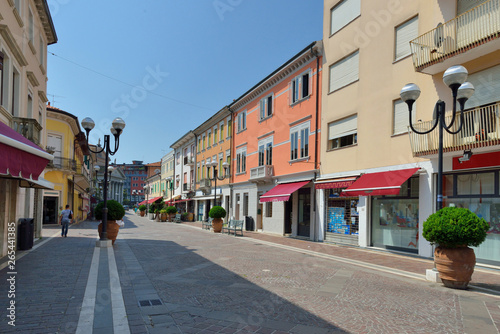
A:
454, 77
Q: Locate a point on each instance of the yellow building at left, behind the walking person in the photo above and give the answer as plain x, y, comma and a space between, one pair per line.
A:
70, 169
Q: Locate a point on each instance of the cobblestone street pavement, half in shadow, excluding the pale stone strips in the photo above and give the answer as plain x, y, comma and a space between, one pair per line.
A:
177, 278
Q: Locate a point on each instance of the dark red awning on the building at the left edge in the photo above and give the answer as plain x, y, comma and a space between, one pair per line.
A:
20, 157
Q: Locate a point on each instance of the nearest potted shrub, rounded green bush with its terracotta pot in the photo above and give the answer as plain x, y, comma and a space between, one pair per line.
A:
453, 230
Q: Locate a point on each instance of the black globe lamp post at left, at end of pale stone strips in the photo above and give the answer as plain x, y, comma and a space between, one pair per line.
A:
117, 128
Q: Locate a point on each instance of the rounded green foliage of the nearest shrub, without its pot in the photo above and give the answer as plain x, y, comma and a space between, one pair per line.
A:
451, 227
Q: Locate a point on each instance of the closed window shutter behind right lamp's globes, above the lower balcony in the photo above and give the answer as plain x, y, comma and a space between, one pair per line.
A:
487, 86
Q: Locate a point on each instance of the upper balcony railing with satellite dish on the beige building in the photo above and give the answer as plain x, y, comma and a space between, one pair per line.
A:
466, 31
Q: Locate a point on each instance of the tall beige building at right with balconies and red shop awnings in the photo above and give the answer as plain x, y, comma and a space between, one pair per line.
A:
378, 178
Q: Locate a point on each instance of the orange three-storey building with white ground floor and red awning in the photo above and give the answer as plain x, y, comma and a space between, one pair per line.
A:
275, 152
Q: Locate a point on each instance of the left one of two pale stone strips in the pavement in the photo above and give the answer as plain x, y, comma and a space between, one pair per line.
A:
86, 321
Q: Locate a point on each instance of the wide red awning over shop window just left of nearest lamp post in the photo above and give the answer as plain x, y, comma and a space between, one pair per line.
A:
382, 183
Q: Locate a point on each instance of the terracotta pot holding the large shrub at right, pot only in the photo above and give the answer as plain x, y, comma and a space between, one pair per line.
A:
455, 265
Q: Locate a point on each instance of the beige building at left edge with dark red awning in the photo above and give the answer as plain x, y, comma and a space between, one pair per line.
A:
26, 29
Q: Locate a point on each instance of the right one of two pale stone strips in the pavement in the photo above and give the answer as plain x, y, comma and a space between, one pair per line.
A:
120, 321
